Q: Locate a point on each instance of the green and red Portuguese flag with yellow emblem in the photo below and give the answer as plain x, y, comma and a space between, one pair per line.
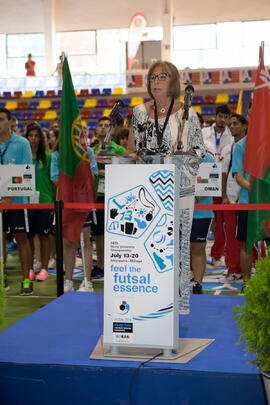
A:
75, 177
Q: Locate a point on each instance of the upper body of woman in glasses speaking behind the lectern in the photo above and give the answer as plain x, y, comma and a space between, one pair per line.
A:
157, 125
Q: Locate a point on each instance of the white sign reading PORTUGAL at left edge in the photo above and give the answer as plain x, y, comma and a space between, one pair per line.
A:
17, 180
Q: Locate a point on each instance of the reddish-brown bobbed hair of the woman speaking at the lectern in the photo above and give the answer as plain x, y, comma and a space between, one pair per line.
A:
167, 67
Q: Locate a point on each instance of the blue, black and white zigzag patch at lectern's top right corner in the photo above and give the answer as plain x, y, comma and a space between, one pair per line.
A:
163, 184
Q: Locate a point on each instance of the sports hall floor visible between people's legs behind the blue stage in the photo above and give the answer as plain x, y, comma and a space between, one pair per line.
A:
17, 307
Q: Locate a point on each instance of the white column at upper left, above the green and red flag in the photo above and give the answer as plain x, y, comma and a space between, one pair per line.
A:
49, 32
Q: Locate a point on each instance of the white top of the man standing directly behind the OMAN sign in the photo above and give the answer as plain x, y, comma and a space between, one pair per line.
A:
209, 138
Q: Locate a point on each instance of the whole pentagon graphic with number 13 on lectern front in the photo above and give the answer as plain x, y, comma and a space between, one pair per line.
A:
131, 212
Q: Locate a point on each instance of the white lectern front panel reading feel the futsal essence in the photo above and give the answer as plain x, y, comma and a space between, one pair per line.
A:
141, 256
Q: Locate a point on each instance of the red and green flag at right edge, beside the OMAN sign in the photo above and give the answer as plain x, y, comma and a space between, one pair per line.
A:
257, 157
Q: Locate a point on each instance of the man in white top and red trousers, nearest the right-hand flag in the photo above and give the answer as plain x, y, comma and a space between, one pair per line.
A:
230, 195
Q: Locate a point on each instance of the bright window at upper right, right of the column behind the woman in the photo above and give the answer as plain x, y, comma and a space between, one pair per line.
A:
221, 45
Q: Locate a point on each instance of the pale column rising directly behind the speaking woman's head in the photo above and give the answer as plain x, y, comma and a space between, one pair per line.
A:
167, 24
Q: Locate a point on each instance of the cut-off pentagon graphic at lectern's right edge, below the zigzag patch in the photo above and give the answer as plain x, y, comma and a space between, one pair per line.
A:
159, 244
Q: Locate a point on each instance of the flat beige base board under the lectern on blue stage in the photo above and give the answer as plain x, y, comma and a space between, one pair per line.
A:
188, 349
